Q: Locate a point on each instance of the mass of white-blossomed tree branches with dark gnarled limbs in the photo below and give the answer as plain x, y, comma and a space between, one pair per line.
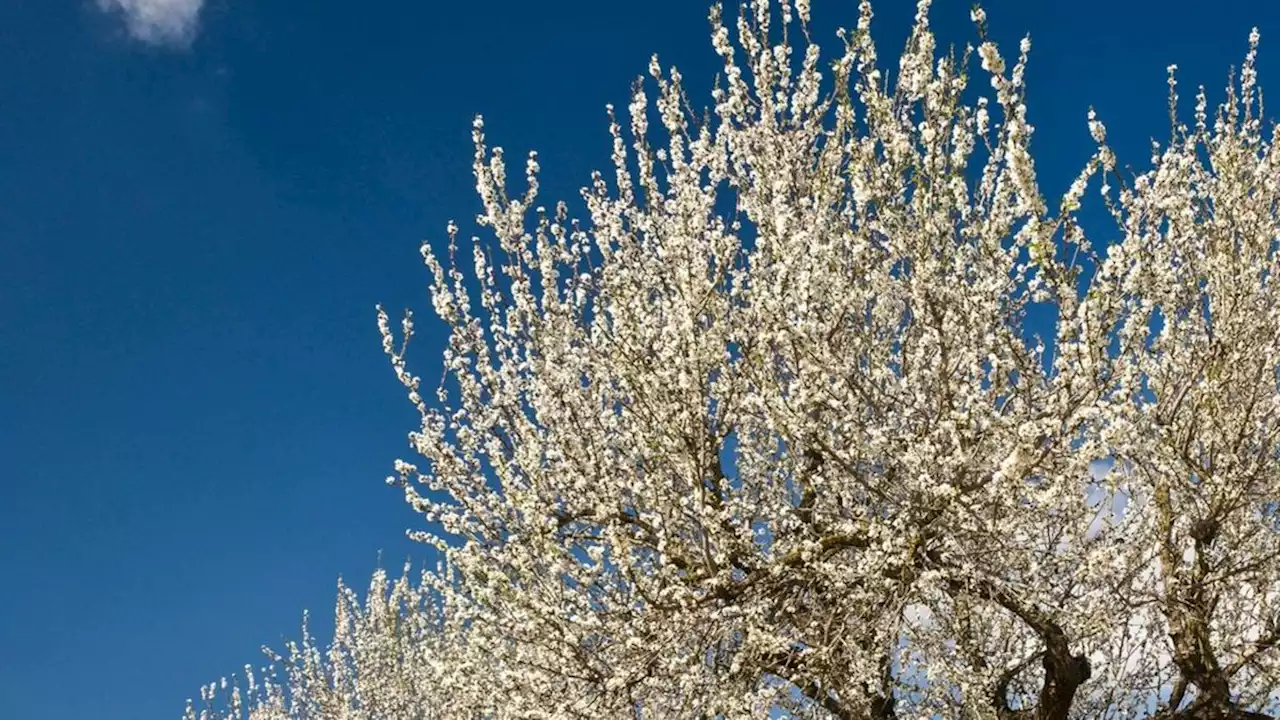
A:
776, 431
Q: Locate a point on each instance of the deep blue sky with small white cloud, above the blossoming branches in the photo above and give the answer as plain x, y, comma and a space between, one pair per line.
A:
200, 208
